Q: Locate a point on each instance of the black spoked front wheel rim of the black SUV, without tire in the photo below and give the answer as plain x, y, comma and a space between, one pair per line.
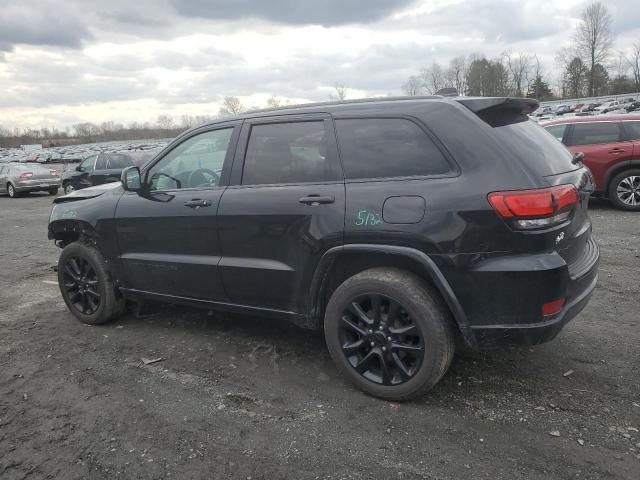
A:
81, 285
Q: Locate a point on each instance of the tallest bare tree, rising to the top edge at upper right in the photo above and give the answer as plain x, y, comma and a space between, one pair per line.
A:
593, 39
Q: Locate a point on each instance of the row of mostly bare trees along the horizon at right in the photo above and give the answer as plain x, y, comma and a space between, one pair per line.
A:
588, 68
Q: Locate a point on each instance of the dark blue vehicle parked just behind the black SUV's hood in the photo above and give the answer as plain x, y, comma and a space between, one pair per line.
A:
104, 167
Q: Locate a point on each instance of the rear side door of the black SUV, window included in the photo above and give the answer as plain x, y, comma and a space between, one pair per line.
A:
283, 210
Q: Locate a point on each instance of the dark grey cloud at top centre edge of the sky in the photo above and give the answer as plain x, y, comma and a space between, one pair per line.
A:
298, 12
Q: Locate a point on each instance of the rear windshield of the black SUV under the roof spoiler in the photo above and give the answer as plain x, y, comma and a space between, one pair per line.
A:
530, 142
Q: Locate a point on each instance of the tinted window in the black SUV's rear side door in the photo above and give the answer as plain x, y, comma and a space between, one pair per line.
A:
292, 152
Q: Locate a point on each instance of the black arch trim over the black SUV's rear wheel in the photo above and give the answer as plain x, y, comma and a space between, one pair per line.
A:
340, 263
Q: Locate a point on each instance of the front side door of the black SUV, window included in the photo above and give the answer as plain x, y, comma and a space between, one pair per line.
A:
167, 234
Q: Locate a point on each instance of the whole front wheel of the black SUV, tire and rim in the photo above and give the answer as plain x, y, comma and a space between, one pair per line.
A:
93, 299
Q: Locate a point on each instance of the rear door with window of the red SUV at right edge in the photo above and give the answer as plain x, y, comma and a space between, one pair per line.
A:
603, 146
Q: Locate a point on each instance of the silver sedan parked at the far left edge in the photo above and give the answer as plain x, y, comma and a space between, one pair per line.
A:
19, 178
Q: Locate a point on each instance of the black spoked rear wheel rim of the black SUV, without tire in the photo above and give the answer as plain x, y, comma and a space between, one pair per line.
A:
380, 340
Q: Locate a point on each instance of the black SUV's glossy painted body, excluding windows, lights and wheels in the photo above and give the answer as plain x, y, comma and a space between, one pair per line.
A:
277, 249
